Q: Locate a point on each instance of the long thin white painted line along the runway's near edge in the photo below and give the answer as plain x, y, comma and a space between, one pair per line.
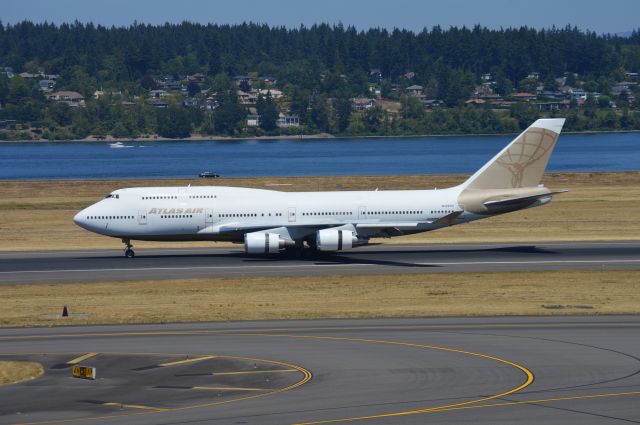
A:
302, 266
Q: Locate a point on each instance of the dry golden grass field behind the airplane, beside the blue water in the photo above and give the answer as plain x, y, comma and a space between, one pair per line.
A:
37, 215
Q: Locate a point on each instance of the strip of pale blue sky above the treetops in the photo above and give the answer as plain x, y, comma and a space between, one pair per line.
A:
611, 16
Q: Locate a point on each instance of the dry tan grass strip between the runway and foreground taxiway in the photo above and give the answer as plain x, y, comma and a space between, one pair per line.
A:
420, 295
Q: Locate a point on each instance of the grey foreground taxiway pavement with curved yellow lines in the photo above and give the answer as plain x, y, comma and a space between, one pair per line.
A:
571, 370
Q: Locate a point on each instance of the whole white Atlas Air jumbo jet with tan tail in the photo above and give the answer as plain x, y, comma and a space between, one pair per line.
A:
270, 221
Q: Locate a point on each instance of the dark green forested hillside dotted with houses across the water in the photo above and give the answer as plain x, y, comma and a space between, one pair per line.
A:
77, 80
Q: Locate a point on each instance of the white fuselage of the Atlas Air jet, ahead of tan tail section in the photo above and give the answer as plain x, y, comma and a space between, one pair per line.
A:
202, 212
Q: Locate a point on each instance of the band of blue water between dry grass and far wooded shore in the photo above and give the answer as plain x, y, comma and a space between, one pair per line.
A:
418, 155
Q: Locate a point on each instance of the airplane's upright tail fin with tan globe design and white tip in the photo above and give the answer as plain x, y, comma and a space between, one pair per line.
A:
522, 162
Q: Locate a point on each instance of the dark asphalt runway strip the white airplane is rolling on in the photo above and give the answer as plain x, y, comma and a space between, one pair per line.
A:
111, 265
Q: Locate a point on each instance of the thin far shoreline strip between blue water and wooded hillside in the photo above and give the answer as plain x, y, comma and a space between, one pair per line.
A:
301, 137
